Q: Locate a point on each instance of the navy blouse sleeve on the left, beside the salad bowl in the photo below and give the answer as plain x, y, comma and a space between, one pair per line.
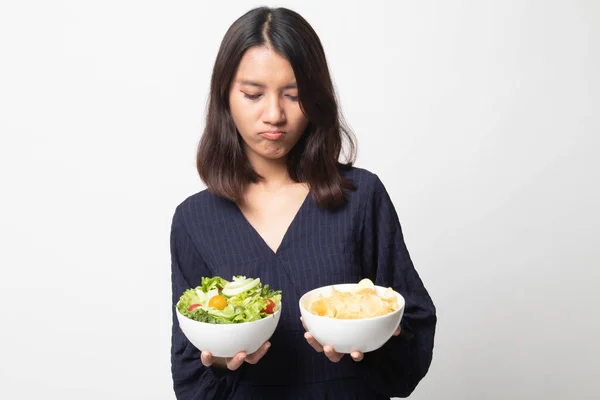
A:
191, 379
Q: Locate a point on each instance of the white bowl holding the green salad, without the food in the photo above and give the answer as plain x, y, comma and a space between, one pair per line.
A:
226, 340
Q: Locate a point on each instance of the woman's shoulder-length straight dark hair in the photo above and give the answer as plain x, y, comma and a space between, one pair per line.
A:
221, 161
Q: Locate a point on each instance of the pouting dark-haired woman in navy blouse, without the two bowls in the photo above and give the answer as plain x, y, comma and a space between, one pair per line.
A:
280, 206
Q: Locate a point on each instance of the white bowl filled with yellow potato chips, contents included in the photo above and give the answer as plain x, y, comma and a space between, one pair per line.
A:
352, 317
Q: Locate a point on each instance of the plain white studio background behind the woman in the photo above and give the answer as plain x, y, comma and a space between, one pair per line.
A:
480, 117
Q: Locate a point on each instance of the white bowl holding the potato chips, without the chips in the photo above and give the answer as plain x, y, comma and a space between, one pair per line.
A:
347, 335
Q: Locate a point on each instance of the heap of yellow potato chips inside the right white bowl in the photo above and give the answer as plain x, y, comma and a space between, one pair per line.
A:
362, 302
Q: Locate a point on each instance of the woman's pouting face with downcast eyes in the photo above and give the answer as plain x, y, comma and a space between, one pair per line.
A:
263, 100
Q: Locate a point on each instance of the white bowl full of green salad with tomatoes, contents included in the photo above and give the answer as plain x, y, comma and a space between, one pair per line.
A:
226, 317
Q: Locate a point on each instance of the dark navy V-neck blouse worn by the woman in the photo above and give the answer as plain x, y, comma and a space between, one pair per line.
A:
210, 236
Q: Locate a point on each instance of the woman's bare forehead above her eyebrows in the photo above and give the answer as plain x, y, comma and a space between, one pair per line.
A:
261, 64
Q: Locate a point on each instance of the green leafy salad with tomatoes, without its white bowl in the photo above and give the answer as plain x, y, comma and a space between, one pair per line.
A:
218, 301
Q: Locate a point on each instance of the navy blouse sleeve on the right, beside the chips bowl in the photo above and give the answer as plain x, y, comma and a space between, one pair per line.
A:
395, 369
